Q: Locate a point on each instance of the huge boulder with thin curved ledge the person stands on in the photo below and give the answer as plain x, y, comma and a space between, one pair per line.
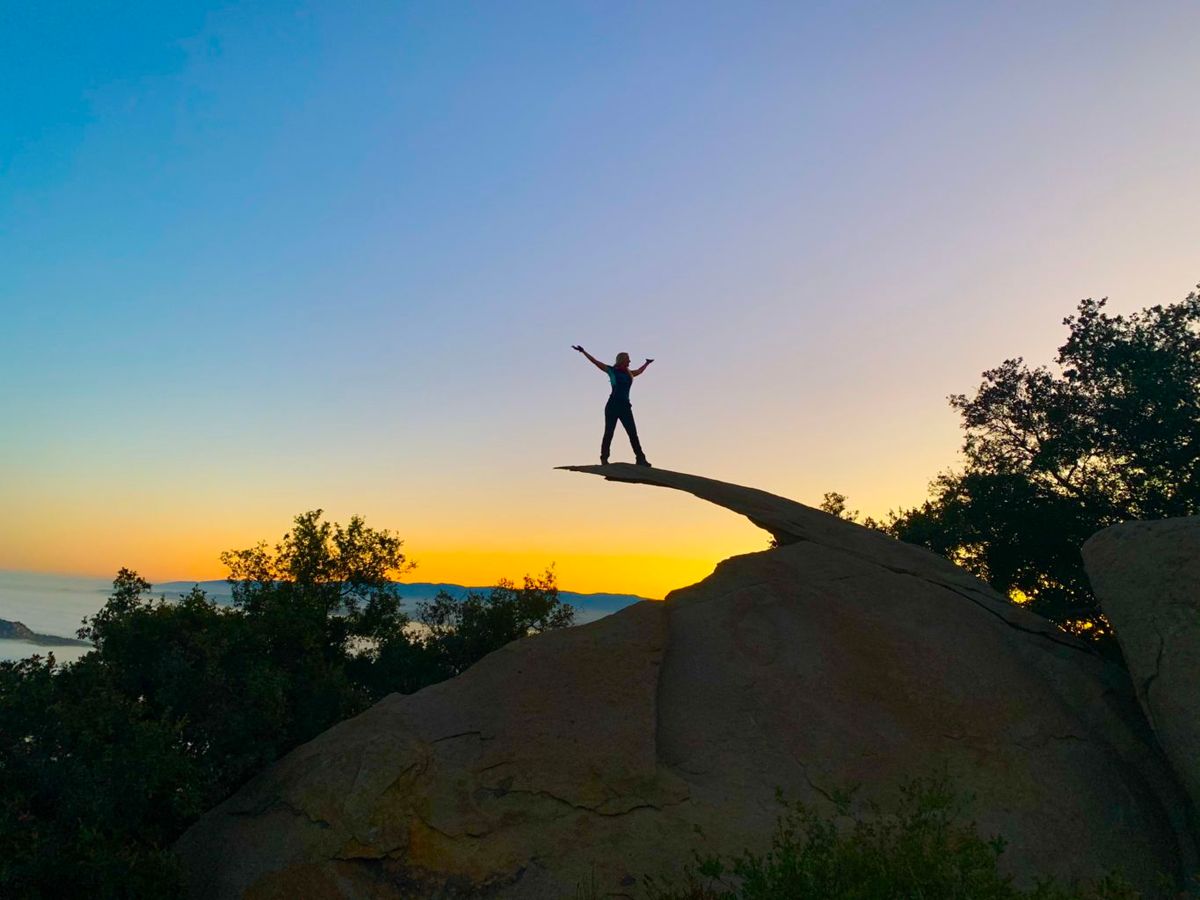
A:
580, 761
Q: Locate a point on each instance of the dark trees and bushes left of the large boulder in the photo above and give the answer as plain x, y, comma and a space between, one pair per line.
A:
106, 761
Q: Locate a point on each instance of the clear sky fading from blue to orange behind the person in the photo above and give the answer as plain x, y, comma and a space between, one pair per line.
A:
268, 257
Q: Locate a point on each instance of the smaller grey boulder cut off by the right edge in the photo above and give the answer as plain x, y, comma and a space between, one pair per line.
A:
1148, 579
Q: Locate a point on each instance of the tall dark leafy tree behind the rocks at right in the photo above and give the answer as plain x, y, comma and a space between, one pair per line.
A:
1111, 433
